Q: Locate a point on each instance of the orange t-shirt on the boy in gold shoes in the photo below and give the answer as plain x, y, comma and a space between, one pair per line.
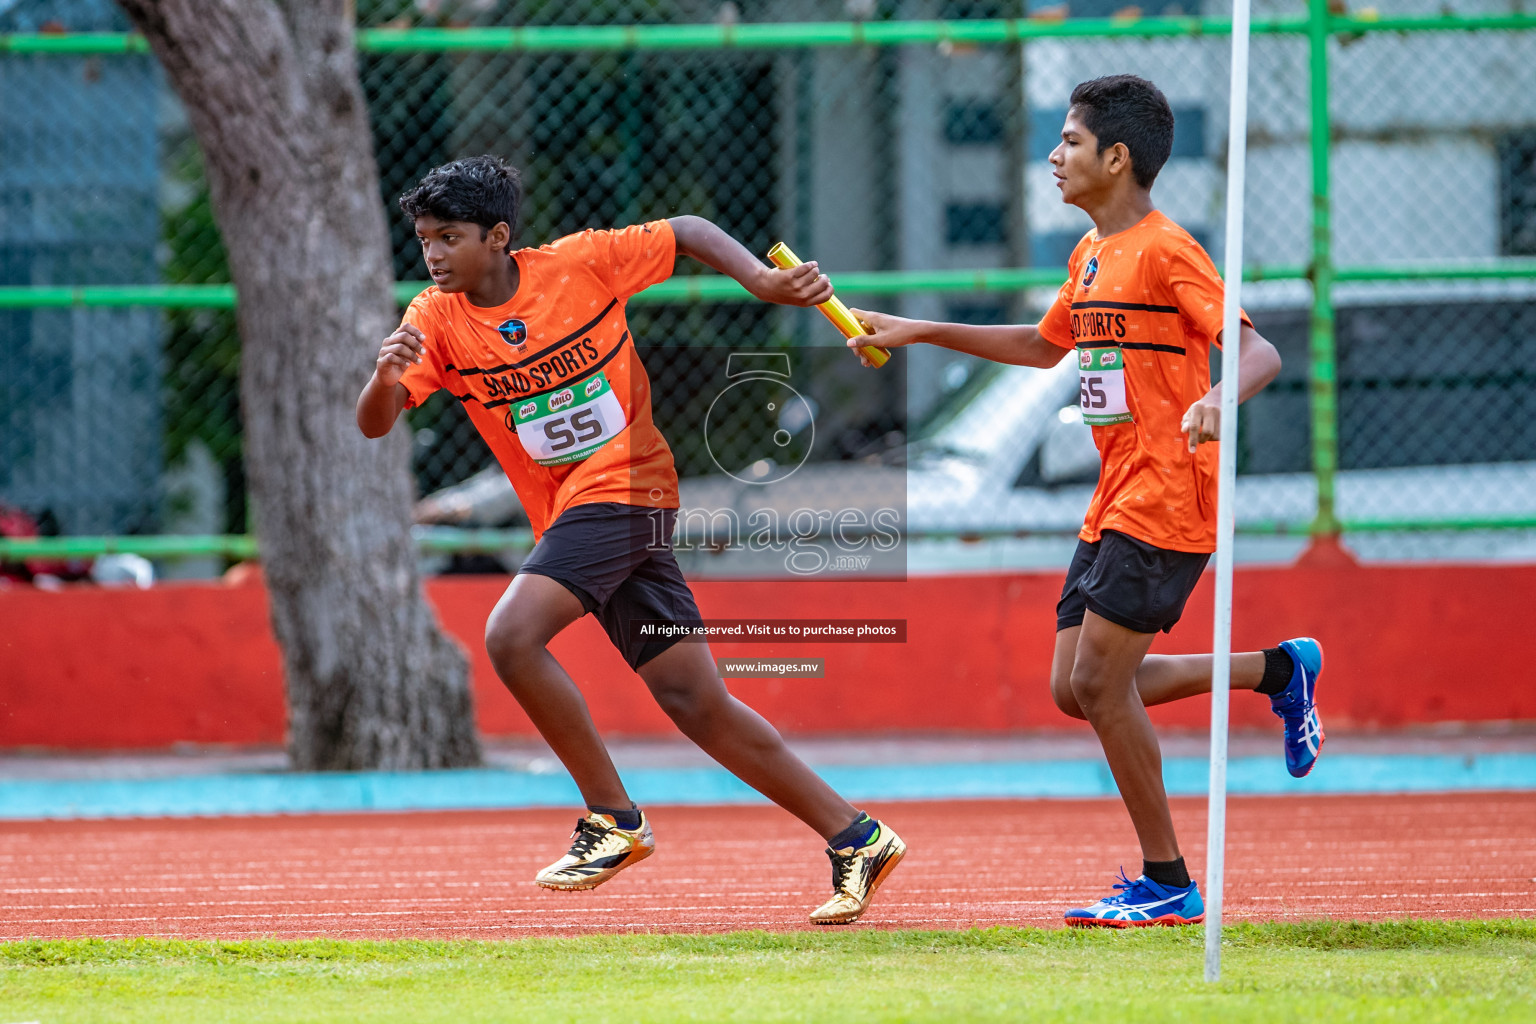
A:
552, 380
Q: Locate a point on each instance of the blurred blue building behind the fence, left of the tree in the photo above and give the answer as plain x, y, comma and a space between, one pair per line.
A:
81, 426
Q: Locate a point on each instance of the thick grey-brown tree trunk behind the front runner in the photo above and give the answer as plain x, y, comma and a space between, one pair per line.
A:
271, 88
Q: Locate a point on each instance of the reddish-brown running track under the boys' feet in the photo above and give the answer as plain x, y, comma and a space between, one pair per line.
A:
972, 864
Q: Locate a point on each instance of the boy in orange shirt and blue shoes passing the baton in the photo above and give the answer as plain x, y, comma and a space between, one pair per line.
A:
1142, 308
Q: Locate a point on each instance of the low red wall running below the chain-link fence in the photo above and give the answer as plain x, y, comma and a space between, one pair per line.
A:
88, 669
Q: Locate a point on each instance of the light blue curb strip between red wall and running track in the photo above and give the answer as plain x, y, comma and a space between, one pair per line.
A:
475, 790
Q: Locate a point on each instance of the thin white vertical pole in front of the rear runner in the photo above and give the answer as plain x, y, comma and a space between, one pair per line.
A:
1226, 492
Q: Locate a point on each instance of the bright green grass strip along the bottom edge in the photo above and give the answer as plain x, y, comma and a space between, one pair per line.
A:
1411, 971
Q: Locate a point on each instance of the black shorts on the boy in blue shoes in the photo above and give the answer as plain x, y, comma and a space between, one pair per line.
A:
1130, 583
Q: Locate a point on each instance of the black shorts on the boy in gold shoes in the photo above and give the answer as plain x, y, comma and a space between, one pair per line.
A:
620, 564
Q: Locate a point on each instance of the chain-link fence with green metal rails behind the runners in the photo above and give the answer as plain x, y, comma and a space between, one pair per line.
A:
1400, 291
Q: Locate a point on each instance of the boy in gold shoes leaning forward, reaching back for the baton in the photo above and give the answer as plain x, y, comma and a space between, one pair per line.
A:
535, 345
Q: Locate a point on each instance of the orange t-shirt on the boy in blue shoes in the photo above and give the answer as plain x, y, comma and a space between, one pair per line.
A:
1142, 308
